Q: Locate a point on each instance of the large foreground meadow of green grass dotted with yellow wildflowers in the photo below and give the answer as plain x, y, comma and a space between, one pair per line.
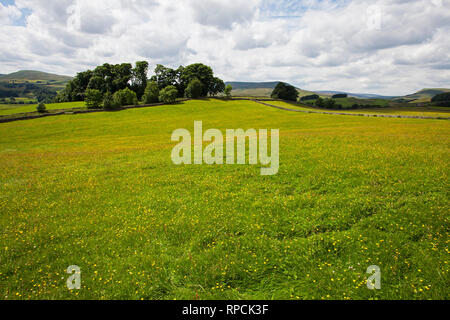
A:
100, 191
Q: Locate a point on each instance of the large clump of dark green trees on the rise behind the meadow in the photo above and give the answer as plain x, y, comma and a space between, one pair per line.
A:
112, 86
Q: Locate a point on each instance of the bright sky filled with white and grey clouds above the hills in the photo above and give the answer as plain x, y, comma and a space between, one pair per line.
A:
391, 47
